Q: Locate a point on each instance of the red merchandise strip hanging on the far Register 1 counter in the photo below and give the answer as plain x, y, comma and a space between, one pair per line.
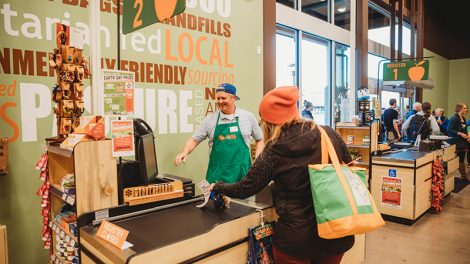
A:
437, 187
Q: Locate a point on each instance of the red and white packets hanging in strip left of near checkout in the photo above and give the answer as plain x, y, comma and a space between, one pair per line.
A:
43, 192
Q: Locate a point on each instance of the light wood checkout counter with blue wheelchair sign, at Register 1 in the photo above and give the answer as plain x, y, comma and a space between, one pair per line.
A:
401, 181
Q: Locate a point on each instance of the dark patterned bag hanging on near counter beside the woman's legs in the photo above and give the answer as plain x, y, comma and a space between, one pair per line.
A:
260, 243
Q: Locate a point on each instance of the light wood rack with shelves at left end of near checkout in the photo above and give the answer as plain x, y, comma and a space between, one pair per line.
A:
95, 177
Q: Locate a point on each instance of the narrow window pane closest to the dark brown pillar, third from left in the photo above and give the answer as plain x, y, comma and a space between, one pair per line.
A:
342, 99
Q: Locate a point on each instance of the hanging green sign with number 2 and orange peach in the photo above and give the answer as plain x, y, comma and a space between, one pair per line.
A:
141, 13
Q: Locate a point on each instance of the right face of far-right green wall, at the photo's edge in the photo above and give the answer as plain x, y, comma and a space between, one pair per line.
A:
459, 83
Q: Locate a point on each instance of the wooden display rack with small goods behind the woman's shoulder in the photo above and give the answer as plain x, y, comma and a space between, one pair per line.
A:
357, 143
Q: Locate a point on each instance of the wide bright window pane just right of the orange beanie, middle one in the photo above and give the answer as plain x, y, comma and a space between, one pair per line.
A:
315, 77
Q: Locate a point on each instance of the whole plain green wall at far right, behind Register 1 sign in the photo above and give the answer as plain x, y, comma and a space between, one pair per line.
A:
452, 82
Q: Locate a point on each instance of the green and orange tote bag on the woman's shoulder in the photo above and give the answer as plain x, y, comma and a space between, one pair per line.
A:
343, 205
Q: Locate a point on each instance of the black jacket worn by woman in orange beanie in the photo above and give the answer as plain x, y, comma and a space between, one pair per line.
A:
285, 163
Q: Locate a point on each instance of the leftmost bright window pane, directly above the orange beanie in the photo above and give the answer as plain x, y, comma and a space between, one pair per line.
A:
286, 65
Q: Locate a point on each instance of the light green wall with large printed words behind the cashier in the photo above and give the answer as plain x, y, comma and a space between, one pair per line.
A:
27, 30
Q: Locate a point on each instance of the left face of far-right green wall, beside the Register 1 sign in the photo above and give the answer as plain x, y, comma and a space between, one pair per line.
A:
439, 72
